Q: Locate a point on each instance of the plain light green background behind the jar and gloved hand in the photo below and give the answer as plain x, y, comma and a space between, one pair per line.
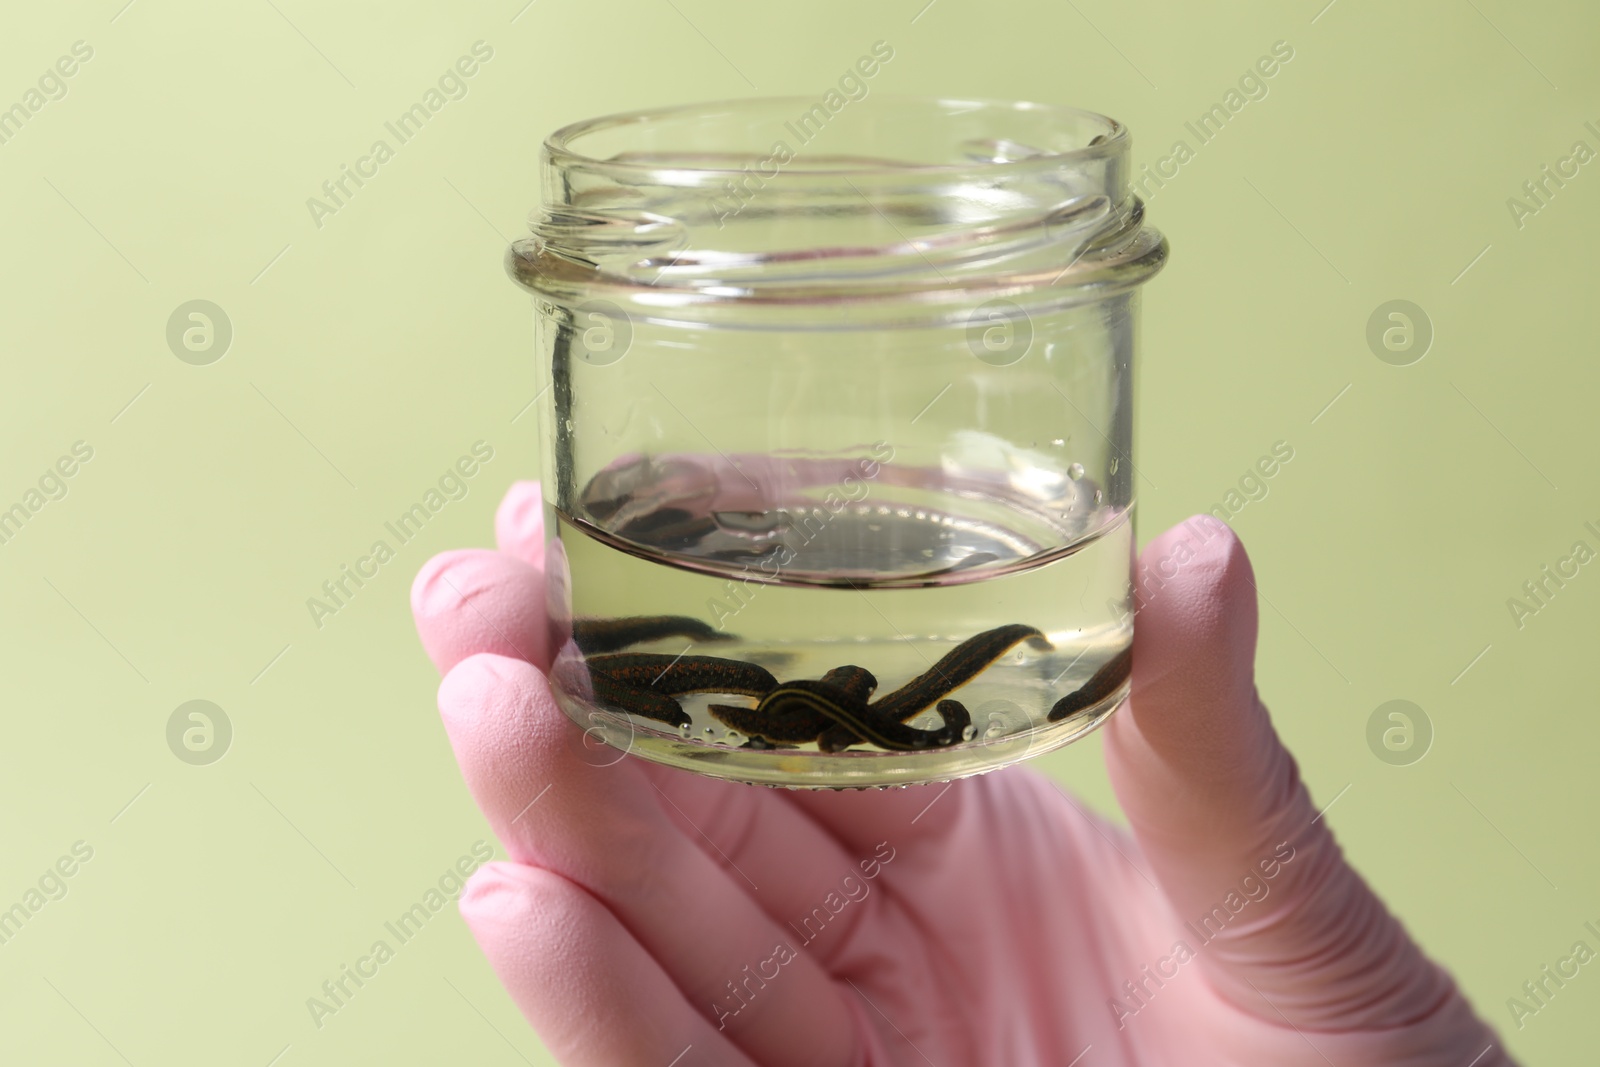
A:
369, 354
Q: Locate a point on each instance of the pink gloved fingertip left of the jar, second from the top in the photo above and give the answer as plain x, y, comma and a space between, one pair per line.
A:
474, 601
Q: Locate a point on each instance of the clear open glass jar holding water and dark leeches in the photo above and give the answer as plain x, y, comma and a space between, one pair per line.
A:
839, 430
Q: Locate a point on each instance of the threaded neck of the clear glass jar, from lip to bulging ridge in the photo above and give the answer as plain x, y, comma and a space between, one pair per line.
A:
921, 204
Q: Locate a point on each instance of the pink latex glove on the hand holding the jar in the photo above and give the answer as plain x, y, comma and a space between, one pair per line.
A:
657, 917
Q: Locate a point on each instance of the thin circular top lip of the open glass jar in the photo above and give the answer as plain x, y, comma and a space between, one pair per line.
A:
561, 151
